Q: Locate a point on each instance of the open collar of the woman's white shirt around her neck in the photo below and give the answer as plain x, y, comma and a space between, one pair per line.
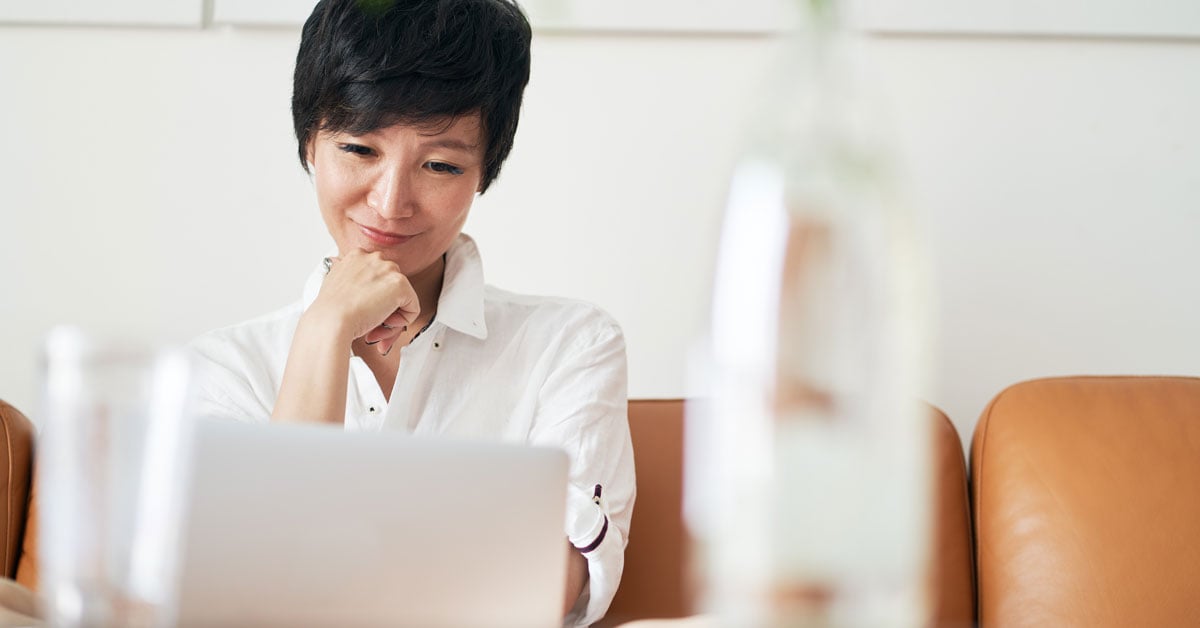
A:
461, 304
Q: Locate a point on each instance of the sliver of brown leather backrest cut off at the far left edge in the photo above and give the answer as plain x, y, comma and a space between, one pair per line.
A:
16, 479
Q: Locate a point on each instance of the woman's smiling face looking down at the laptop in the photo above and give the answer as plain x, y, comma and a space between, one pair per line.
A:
404, 192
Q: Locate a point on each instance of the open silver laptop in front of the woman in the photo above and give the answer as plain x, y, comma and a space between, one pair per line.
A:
316, 527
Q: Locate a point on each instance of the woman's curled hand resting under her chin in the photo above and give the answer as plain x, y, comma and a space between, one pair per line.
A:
367, 297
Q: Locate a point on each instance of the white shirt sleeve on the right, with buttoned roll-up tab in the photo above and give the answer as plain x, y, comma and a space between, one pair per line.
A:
584, 410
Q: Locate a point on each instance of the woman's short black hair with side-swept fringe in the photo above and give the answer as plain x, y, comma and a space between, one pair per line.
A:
370, 64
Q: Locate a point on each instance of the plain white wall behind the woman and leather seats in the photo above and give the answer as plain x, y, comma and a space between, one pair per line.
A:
148, 184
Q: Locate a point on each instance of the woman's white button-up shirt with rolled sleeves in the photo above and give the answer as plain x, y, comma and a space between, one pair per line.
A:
493, 366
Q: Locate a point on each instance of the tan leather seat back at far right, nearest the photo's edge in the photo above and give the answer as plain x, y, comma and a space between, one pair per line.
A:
1088, 504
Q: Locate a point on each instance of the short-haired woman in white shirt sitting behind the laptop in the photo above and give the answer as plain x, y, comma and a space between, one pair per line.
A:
404, 113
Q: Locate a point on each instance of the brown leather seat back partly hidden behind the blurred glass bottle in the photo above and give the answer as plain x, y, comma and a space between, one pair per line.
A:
655, 582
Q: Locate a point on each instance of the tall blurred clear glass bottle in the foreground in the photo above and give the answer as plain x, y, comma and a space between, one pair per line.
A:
808, 468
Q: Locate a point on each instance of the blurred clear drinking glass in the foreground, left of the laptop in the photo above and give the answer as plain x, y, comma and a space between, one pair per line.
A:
113, 466
